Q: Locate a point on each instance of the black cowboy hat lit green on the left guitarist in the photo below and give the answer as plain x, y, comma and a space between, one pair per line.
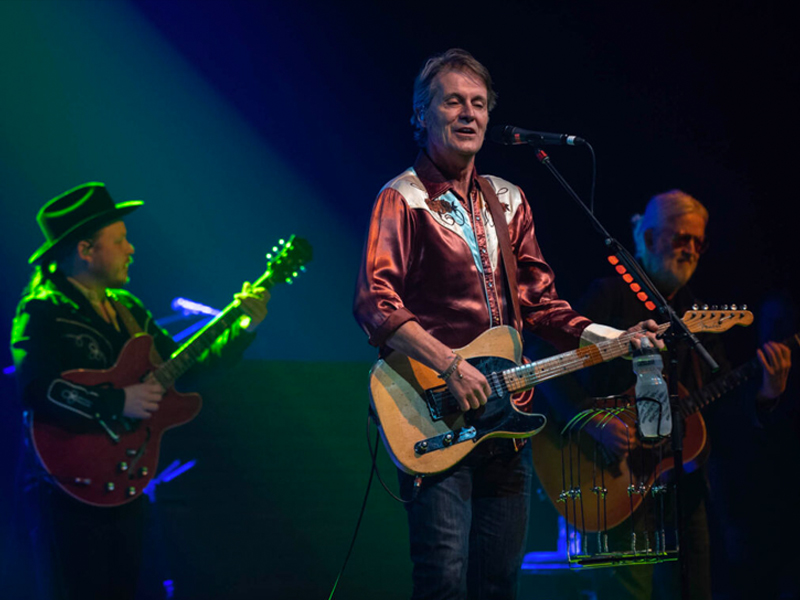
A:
77, 213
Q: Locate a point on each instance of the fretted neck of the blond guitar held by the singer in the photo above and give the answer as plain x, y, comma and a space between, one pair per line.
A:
528, 376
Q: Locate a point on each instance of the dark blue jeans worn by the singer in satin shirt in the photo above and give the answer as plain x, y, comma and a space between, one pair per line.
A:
468, 526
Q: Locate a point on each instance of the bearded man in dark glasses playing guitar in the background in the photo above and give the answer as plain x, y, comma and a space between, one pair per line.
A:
670, 237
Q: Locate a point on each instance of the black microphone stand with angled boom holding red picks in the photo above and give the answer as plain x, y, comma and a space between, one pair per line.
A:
676, 333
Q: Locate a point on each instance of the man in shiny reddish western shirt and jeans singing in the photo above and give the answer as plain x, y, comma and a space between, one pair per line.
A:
433, 279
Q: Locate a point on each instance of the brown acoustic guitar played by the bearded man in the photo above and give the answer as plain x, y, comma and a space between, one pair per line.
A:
569, 466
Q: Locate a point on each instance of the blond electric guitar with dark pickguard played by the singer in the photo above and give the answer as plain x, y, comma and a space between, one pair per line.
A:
422, 427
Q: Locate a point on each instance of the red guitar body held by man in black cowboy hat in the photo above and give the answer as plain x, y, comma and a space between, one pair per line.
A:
90, 465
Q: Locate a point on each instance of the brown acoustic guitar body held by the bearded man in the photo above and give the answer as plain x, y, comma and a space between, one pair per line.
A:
575, 462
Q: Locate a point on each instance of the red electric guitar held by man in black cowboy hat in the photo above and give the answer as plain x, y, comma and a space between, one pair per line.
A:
113, 463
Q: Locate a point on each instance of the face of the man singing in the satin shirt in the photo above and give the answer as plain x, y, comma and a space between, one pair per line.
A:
457, 116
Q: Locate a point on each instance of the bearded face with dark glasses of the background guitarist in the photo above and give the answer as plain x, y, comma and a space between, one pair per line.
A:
673, 250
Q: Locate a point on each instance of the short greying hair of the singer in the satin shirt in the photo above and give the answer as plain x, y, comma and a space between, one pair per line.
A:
454, 59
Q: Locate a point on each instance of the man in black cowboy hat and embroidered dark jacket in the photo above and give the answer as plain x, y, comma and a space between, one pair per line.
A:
74, 315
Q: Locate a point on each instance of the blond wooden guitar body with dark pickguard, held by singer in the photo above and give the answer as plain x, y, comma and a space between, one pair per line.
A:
400, 389
